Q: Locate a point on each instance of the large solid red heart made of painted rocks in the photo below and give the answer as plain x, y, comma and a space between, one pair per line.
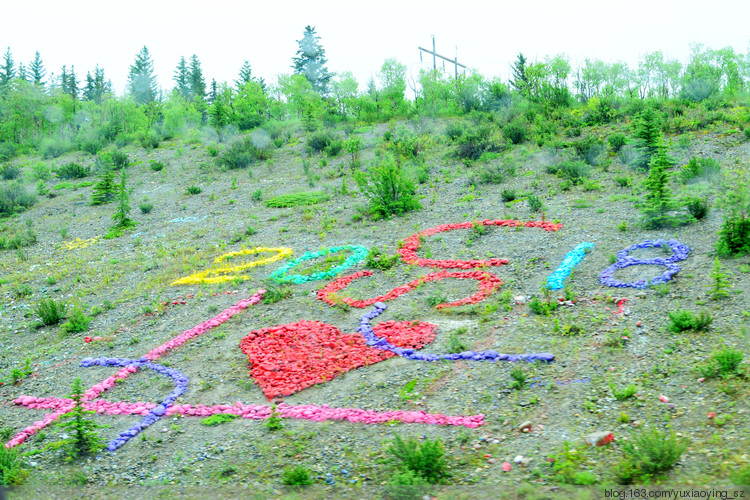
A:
287, 358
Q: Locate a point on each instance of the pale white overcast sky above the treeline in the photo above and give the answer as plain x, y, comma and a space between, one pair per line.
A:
359, 36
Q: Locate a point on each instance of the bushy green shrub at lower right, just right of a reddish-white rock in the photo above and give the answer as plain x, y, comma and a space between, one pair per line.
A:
649, 453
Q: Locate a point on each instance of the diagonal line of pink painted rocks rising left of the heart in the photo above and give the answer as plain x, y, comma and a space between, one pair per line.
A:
106, 384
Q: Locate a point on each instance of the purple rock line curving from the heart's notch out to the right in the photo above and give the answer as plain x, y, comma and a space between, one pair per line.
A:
381, 343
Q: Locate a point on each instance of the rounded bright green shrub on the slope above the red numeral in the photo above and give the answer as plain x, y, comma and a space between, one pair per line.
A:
387, 188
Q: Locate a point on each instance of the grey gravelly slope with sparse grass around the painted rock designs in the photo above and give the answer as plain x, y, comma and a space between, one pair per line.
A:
127, 280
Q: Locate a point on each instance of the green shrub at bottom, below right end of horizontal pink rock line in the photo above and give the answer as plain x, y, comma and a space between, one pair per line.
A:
425, 459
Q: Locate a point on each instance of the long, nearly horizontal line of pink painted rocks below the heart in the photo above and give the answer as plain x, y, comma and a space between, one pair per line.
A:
259, 412
